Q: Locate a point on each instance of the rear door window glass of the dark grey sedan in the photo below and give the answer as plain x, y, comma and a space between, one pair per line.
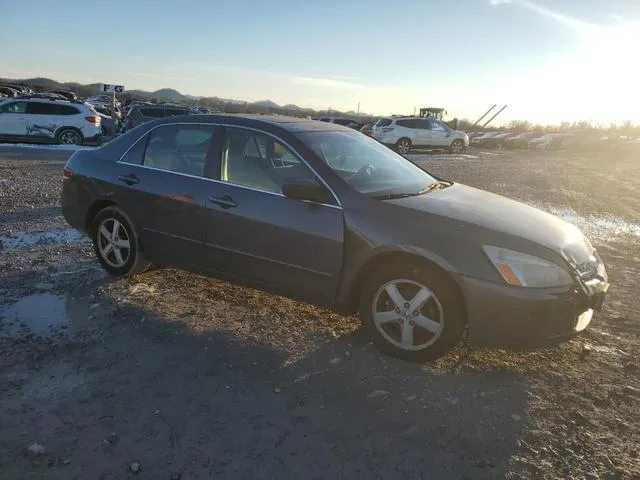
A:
179, 148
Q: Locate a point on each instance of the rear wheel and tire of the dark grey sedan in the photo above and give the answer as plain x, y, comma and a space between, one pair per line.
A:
129, 261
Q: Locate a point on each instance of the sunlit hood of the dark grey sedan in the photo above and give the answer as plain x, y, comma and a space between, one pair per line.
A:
501, 215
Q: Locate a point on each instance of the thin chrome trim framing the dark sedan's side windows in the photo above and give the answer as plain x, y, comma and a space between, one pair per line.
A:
338, 204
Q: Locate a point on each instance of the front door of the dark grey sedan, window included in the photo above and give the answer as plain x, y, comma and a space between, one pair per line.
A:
255, 232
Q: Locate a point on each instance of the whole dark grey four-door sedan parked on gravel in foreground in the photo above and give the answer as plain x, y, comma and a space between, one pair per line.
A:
329, 216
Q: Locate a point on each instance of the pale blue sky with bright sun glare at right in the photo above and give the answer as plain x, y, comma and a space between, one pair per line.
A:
548, 60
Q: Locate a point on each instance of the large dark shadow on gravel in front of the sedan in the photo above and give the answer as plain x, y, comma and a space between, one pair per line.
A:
131, 385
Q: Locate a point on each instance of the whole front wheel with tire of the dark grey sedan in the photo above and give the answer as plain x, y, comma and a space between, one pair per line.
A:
435, 327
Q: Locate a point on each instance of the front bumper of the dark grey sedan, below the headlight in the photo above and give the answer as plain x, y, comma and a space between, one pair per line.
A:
512, 317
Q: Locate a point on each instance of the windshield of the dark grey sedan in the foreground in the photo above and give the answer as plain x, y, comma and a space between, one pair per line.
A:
366, 165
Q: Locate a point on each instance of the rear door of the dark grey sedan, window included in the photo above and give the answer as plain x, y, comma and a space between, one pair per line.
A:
162, 184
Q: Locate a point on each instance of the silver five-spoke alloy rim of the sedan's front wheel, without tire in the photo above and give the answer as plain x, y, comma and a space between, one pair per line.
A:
407, 314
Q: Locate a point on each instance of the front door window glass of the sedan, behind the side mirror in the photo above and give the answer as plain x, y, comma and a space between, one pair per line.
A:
255, 160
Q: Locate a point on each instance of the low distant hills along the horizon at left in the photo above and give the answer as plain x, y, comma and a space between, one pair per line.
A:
171, 95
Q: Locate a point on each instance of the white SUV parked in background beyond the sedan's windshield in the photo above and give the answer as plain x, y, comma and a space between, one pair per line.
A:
405, 133
